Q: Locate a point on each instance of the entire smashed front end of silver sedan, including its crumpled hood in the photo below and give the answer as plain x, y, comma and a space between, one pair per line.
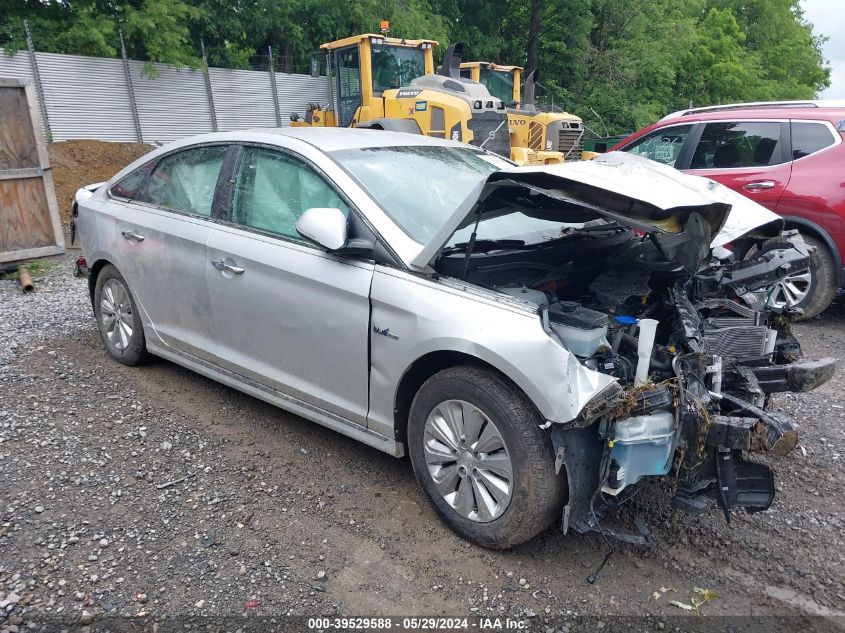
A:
638, 285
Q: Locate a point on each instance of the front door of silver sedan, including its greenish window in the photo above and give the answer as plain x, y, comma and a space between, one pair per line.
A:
287, 314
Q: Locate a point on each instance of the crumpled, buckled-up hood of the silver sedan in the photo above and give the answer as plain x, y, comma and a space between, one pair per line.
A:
620, 187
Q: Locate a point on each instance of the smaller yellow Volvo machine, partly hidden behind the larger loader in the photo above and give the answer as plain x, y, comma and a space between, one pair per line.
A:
536, 137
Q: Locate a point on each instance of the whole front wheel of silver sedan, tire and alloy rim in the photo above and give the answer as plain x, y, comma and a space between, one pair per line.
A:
483, 397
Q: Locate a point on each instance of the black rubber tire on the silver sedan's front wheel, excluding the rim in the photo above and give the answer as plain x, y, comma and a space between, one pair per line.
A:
536, 491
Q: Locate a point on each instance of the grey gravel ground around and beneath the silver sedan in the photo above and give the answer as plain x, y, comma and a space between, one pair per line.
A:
154, 492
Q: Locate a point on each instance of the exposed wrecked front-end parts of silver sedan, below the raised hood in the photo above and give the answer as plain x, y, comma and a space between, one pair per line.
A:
712, 367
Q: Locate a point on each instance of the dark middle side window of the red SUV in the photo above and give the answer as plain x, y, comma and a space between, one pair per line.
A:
727, 145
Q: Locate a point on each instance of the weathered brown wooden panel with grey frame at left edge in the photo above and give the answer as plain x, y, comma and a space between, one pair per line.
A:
30, 226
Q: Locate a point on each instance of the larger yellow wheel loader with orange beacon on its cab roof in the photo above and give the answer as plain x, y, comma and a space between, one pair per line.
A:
389, 83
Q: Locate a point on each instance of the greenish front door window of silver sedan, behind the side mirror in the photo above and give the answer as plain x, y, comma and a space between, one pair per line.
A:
272, 190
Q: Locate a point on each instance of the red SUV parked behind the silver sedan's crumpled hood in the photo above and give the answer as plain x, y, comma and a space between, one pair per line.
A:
788, 156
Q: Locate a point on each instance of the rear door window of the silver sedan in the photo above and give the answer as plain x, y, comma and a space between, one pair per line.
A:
186, 181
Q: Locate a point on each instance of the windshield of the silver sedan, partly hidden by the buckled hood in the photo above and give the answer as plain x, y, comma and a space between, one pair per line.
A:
420, 187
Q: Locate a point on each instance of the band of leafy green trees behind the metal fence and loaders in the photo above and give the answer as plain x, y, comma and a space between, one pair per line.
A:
623, 63
